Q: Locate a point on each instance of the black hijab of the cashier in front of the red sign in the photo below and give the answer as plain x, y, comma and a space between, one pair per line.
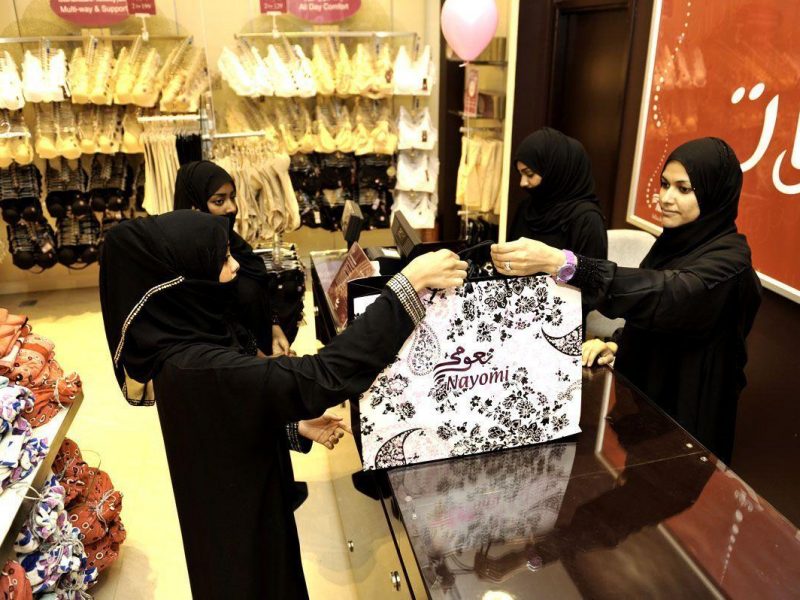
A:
716, 177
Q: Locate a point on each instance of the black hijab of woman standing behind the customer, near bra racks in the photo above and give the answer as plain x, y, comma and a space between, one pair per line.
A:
195, 184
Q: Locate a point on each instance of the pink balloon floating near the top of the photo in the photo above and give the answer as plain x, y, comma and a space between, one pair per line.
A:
469, 25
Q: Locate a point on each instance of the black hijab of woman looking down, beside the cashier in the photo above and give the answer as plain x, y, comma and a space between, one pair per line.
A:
567, 187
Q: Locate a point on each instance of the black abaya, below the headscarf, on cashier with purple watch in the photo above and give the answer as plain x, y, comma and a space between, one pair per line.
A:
683, 343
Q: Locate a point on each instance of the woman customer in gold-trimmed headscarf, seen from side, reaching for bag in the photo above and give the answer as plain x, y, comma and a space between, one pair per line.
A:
166, 285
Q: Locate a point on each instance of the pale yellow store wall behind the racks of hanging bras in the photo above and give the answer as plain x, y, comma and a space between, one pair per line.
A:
212, 24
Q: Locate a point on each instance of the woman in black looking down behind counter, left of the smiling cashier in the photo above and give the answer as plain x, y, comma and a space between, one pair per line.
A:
561, 209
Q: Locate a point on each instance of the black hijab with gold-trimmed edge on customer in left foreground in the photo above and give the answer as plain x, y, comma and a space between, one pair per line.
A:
160, 290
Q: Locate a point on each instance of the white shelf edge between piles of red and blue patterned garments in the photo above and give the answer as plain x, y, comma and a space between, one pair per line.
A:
14, 505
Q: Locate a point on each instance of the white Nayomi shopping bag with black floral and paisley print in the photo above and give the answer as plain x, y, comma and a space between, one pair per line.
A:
494, 364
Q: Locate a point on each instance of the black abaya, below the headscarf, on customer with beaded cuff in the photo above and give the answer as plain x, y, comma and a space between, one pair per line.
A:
223, 417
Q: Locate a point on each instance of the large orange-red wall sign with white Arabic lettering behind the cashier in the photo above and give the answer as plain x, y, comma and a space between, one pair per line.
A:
730, 70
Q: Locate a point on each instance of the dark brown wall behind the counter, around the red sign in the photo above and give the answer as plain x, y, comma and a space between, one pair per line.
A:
767, 448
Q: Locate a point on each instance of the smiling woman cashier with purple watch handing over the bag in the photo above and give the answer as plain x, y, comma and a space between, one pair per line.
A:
690, 305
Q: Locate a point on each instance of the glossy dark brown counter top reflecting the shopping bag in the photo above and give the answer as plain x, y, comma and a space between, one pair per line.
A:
632, 507
